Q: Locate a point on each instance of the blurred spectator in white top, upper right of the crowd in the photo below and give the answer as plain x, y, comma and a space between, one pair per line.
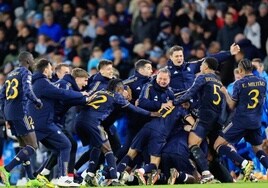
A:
252, 30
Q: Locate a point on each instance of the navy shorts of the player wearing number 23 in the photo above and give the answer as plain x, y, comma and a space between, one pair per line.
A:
22, 127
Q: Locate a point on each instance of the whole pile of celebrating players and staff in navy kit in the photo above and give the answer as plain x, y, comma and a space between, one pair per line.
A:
179, 121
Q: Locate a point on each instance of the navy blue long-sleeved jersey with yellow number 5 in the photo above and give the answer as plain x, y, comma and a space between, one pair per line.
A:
207, 87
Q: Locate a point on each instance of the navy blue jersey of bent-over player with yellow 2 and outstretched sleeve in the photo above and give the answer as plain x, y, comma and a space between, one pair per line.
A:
103, 103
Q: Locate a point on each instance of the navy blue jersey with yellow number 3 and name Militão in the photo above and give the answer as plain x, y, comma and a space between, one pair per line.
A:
249, 94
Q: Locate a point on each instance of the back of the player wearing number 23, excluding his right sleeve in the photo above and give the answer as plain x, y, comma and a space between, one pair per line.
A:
14, 94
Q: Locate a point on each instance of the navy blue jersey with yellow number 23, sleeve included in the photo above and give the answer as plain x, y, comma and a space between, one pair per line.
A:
16, 92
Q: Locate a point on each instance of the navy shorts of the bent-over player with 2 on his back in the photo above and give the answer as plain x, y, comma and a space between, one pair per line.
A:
91, 134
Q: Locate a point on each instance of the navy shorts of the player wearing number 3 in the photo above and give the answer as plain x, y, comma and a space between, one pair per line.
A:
233, 134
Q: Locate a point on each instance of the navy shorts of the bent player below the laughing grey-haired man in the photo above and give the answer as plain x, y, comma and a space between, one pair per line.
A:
151, 139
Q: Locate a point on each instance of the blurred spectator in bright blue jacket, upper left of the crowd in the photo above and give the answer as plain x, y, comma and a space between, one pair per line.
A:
49, 28
